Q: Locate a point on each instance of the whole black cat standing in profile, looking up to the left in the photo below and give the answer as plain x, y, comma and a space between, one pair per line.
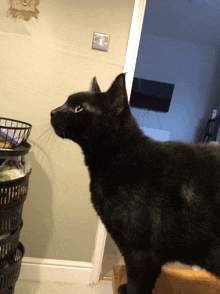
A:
159, 201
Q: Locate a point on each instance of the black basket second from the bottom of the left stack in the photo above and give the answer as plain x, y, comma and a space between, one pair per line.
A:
9, 243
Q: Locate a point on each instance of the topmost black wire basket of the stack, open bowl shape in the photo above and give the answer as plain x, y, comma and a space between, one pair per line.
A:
13, 132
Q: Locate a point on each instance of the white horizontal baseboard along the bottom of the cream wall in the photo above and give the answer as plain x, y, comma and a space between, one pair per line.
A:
50, 270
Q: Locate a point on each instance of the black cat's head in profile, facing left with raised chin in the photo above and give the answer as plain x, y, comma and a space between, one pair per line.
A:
88, 116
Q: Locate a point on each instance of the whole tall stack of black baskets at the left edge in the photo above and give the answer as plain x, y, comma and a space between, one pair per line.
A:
13, 137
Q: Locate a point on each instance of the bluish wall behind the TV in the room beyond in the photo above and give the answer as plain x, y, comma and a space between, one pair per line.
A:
194, 70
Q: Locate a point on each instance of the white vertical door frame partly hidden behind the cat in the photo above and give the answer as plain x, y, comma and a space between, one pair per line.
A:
129, 68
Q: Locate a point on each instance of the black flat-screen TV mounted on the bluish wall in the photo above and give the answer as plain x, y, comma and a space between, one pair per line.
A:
151, 95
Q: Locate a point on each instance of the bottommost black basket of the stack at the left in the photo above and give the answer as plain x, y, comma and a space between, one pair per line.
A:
9, 275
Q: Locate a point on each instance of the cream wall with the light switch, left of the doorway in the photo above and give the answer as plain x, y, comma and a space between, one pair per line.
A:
42, 62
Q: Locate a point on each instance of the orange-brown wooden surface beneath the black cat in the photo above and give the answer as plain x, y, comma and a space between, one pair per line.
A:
175, 281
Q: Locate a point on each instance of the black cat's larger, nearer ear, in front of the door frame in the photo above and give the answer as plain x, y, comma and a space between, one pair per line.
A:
118, 94
